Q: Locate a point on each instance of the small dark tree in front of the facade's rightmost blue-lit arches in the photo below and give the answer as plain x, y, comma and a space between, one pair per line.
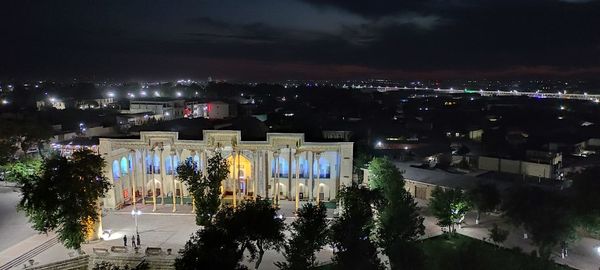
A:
308, 235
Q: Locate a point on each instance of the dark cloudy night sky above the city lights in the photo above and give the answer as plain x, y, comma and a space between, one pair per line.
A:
294, 39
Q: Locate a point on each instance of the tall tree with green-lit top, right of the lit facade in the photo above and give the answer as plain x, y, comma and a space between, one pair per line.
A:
399, 222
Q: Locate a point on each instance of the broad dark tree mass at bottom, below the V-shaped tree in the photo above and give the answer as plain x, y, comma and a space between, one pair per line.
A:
251, 227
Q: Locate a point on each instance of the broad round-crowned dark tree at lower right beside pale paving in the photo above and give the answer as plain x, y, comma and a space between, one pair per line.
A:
544, 213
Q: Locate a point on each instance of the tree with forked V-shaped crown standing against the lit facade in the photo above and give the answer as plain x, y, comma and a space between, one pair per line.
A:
204, 189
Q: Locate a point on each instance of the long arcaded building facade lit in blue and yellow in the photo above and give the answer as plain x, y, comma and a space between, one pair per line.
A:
143, 170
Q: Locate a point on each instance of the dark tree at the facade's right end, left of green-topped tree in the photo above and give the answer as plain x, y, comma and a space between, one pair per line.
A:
351, 231
